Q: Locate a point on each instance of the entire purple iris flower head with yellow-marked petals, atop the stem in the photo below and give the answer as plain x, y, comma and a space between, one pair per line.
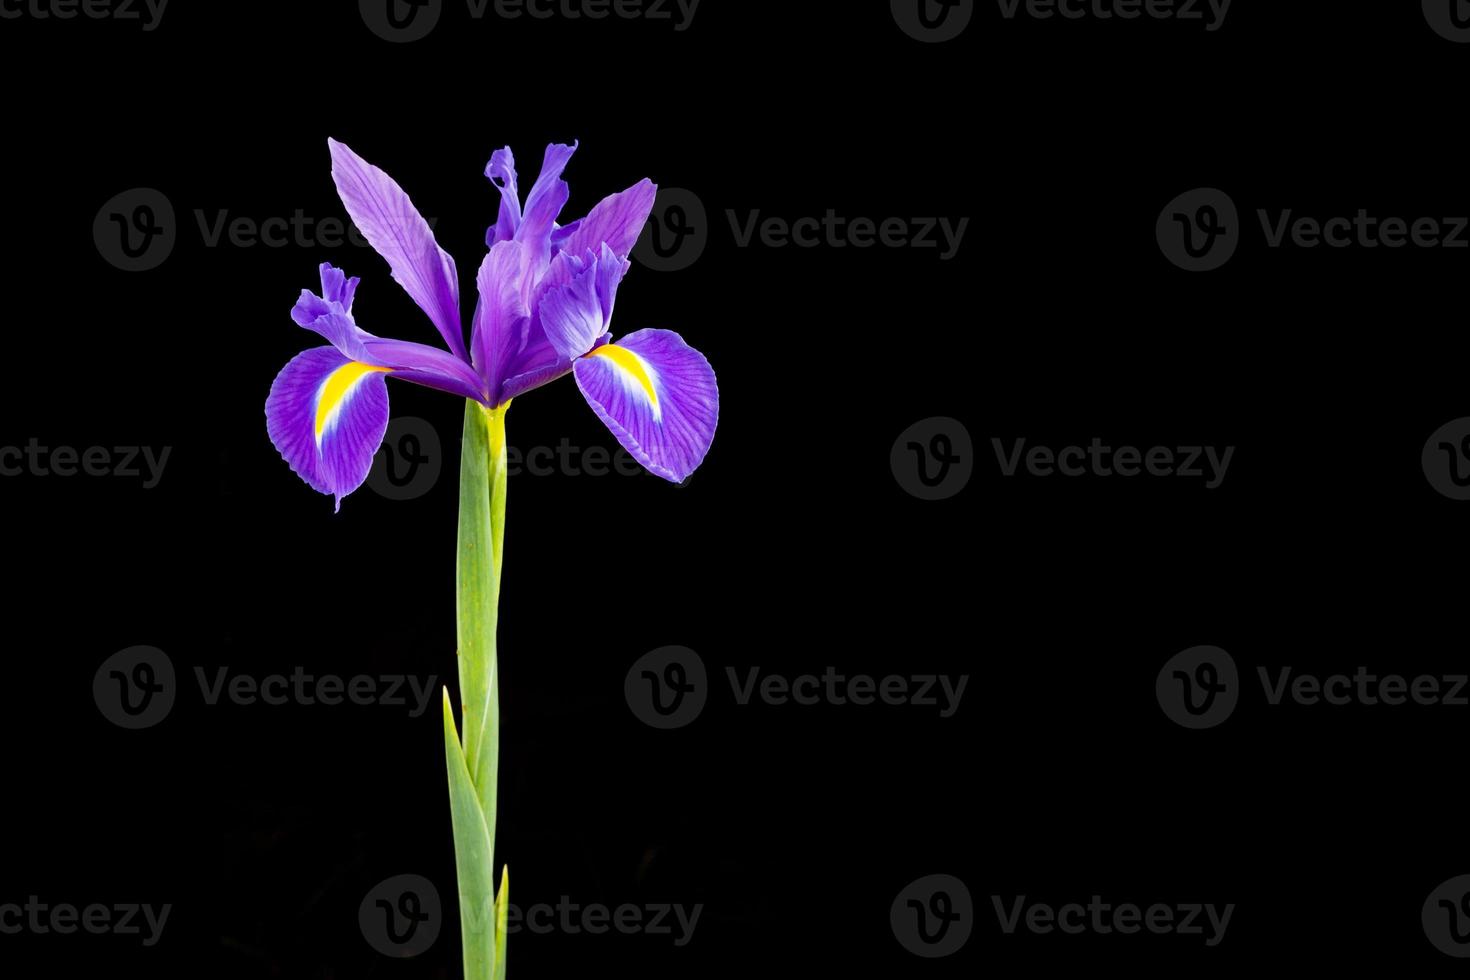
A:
546, 305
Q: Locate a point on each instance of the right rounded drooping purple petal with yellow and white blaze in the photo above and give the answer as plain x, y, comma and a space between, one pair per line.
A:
659, 399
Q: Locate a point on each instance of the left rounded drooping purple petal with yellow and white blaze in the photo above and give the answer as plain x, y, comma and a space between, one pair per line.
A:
327, 417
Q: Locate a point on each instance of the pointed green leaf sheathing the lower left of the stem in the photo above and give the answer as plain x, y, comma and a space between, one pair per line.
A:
480, 919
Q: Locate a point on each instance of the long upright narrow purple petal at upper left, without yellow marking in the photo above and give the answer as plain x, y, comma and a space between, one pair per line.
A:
393, 226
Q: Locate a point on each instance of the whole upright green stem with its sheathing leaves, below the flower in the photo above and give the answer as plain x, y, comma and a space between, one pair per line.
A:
474, 760
